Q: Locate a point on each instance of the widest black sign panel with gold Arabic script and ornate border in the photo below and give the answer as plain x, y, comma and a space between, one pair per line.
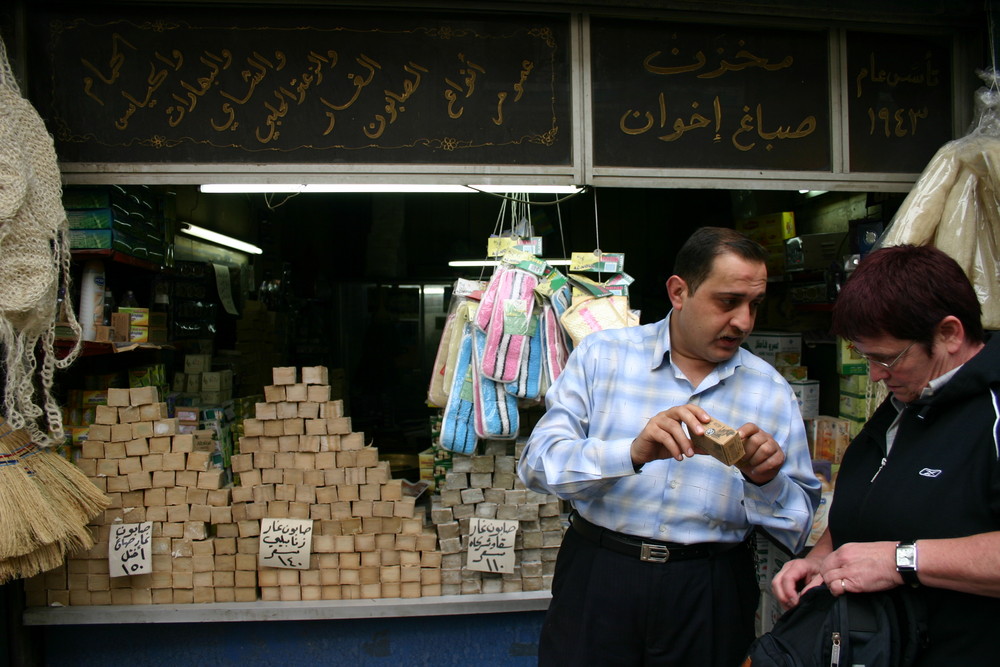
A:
320, 87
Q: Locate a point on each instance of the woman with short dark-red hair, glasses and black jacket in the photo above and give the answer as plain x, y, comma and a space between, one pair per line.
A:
917, 498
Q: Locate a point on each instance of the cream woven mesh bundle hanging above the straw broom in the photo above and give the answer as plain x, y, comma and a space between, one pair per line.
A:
34, 264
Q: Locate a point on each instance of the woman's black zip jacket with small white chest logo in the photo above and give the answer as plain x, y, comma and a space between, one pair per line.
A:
941, 479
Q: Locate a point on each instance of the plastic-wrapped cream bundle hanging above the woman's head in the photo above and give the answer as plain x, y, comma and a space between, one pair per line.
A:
955, 205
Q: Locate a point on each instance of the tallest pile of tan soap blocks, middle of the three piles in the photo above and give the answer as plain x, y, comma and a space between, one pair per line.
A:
299, 459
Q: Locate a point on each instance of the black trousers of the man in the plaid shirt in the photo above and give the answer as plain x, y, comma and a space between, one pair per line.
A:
611, 609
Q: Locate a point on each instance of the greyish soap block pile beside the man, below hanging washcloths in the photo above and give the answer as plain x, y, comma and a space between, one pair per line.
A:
487, 486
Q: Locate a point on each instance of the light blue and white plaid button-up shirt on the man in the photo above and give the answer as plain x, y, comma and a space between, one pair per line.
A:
613, 383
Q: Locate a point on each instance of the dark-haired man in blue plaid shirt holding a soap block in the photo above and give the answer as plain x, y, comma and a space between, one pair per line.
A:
657, 567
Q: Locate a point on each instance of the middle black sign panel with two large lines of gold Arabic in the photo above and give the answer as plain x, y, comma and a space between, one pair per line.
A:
674, 95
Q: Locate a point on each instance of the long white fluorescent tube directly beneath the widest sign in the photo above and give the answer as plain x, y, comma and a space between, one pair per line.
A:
440, 188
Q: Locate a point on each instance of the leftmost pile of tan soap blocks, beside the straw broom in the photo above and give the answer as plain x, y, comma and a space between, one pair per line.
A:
153, 473
